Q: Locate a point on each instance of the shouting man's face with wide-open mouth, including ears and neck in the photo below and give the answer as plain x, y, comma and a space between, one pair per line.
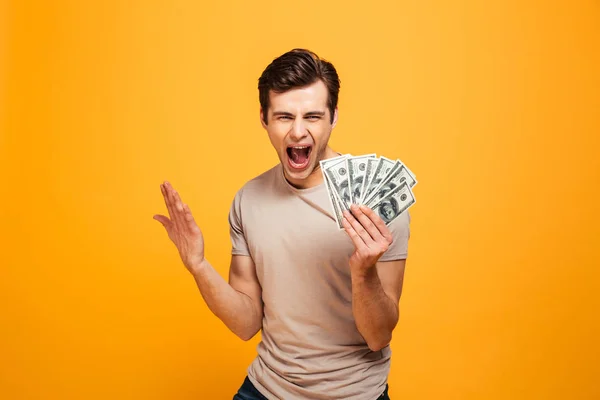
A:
299, 128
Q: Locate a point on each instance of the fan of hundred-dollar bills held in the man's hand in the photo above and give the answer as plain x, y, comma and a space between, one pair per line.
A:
381, 184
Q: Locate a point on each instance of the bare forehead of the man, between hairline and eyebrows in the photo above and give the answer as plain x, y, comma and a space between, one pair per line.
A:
312, 97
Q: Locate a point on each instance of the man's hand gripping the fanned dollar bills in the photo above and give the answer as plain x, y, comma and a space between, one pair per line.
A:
370, 235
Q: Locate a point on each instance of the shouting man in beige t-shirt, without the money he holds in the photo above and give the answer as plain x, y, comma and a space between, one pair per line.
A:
326, 299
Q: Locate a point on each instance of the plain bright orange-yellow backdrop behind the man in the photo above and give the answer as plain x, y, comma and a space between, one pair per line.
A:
493, 105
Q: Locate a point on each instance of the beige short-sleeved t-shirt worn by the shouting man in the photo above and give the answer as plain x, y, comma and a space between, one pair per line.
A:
310, 346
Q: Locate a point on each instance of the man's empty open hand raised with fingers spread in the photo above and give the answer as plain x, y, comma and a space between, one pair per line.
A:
182, 228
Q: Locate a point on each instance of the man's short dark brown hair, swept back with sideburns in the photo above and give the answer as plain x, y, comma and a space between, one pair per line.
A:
294, 69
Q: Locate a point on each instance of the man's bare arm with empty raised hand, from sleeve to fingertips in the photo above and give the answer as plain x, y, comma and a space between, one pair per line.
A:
237, 303
